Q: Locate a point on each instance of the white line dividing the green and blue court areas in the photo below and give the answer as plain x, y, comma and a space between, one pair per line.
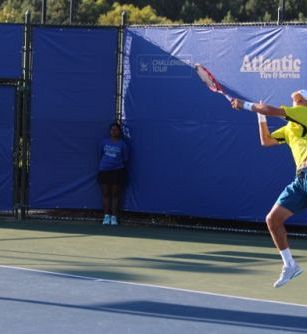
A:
96, 279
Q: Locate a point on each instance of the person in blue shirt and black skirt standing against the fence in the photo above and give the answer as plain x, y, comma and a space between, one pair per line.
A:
113, 153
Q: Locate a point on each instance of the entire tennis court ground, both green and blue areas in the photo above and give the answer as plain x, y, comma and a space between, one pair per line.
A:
77, 278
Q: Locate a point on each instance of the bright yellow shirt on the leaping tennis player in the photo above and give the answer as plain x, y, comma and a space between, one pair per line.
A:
294, 133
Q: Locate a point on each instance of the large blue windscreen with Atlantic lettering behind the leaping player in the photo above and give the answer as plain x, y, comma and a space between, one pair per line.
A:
191, 153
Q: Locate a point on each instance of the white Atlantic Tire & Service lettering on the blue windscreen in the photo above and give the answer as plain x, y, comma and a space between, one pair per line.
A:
286, 67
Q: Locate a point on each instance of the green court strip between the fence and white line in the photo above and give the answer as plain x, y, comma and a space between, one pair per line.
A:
234, 264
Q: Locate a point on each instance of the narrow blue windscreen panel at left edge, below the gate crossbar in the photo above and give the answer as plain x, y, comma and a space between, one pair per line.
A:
7, 121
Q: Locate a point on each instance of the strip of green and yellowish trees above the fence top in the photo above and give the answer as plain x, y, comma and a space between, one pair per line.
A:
154, 11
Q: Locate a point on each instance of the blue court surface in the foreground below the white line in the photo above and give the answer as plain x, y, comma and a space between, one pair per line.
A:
41, 302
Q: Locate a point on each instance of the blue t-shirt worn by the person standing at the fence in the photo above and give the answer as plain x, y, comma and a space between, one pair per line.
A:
113, 154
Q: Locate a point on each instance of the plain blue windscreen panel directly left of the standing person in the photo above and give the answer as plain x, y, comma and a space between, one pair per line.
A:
73, 103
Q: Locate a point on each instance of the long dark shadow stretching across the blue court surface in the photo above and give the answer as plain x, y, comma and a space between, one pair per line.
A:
195, 314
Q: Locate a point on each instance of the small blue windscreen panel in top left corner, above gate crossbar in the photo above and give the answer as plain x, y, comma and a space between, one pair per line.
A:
11, 39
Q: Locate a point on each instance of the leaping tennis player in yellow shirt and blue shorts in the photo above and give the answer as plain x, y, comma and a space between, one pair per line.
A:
293, 198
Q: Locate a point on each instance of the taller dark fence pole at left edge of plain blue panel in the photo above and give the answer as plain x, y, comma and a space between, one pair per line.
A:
24, 145
